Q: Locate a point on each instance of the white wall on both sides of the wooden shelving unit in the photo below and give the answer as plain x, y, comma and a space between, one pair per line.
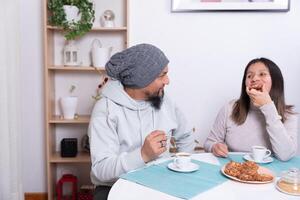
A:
208, 52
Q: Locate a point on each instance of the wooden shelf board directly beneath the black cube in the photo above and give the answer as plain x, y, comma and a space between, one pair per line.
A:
82, 157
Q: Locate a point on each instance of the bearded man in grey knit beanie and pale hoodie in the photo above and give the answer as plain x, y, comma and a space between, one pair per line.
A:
132, 123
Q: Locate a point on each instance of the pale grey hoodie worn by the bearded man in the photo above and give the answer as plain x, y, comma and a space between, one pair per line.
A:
119, 126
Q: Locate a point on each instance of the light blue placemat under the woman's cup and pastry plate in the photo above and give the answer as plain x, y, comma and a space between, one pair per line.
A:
276, 166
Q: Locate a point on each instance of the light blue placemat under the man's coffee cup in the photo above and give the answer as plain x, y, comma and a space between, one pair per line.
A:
182, 185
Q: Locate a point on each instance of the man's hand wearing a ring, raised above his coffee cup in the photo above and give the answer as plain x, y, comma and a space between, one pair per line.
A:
154, 145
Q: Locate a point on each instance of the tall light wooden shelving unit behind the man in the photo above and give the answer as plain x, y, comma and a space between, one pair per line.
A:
58, 76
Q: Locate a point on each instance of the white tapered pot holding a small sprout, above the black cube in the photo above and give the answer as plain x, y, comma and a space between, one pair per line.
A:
69, 106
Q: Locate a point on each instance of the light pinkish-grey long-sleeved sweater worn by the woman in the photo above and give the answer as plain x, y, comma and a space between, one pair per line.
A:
263, 126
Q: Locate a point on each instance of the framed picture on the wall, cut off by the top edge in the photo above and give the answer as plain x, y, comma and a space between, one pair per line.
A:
230, 5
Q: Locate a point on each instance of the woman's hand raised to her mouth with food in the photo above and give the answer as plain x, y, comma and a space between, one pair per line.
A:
259, 97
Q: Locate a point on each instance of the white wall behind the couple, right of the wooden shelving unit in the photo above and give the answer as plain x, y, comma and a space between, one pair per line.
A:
208, 52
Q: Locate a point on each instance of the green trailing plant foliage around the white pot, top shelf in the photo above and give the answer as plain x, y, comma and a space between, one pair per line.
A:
72, 29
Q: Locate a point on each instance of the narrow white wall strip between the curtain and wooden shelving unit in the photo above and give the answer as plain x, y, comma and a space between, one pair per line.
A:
33, 130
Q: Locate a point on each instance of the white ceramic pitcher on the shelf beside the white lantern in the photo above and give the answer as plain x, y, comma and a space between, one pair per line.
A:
100, 55
